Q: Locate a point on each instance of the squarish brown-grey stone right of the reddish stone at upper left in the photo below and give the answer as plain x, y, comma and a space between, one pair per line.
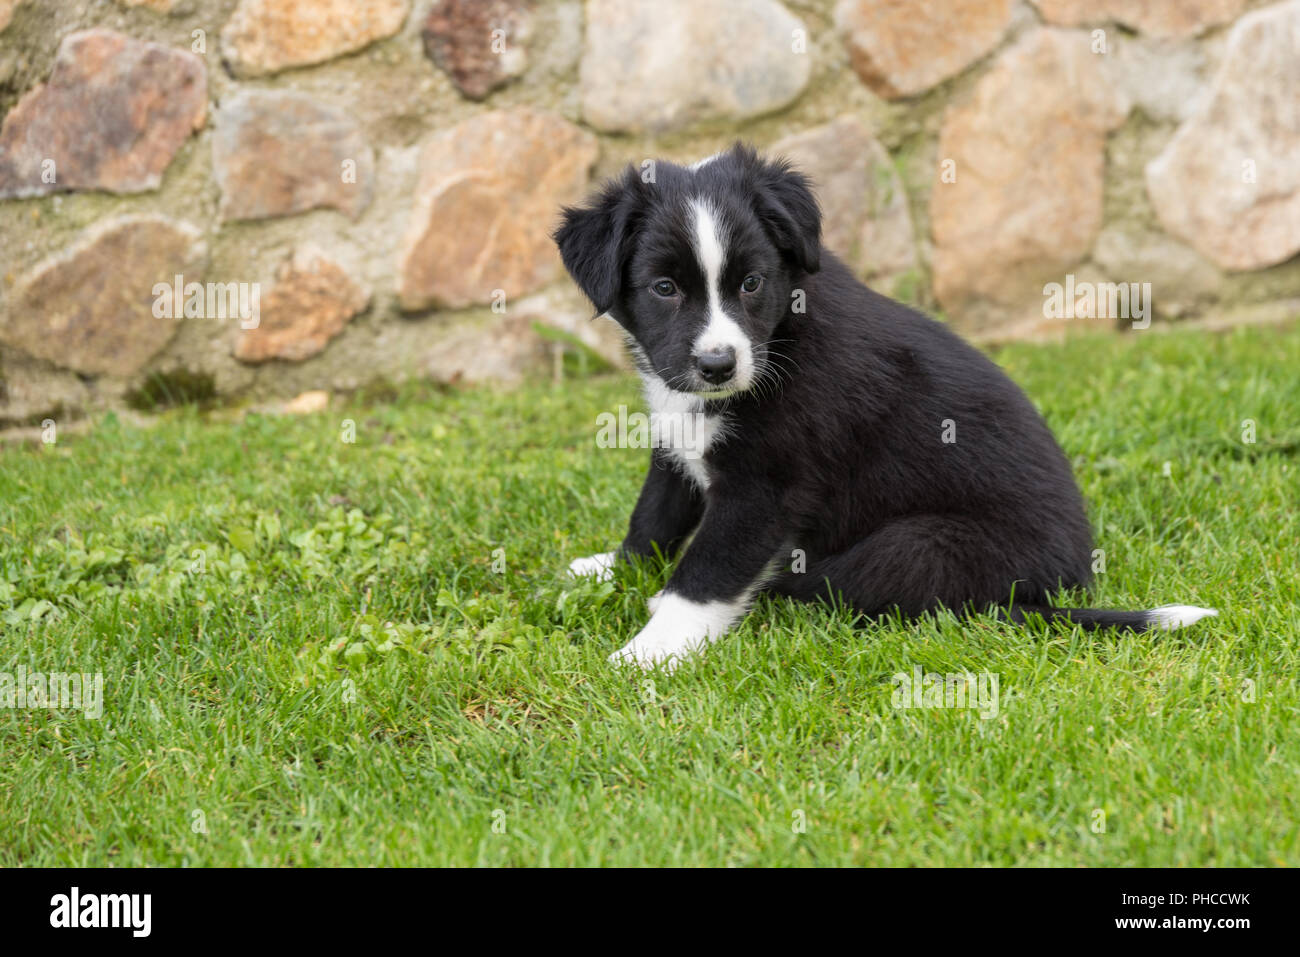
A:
278, 153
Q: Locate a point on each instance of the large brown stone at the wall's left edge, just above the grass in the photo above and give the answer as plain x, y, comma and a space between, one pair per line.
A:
92, 308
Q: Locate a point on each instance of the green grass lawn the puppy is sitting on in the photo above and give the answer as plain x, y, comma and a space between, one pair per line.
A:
233, 582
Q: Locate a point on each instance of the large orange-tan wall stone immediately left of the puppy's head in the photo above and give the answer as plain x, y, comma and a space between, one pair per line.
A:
487, 202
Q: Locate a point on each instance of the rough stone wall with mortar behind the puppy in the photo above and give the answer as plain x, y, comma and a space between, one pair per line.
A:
374, 181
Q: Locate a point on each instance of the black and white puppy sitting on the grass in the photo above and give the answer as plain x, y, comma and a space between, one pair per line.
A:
838, 443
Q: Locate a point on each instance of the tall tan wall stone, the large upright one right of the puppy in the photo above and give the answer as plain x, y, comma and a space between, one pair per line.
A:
1028, 150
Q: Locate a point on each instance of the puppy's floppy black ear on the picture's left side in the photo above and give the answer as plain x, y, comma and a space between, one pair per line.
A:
596, 240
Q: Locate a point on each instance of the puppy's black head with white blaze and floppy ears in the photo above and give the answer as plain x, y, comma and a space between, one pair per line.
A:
699, 265
